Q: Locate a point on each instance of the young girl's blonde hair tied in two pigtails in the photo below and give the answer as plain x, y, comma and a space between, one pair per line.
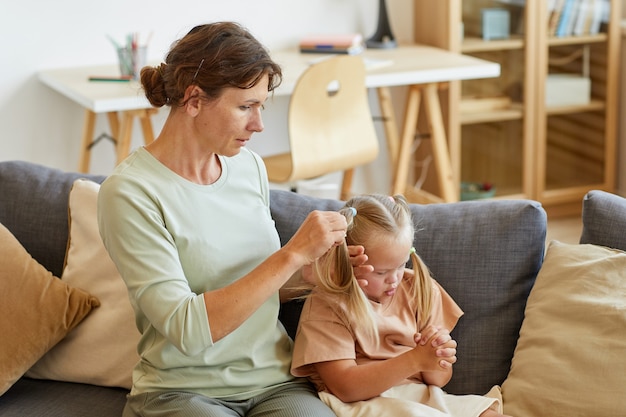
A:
370, 216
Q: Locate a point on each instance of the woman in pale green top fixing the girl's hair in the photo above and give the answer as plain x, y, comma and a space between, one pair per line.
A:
186, 220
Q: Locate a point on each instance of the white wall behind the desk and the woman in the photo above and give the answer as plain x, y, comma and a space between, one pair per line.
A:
39, 125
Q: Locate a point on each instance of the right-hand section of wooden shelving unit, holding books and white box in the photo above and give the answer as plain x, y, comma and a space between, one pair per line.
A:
577, 145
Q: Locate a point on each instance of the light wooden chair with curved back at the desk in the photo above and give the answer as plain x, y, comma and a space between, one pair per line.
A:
330, 125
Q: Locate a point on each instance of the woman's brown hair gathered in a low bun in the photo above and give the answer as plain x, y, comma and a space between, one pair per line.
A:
212, 56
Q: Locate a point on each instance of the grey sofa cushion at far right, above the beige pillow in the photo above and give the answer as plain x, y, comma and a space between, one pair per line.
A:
604, 220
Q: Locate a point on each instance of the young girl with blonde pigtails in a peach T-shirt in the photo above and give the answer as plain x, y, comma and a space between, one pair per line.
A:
384, 348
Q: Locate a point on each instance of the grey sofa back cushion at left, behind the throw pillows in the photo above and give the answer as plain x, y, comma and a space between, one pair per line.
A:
35, 209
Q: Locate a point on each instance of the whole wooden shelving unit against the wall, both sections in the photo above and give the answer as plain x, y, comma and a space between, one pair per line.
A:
500, 130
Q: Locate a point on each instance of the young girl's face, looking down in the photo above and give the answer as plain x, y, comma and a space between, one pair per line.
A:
388, 257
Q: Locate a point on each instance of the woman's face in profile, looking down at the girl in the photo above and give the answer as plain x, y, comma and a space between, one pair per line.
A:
227, 123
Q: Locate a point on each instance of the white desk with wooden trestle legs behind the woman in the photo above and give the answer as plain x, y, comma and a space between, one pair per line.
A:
421, 68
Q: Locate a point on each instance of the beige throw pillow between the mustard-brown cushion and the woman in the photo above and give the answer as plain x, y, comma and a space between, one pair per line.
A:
103, 349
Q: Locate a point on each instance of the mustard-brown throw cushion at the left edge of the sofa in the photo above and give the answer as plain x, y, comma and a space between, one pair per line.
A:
37, 310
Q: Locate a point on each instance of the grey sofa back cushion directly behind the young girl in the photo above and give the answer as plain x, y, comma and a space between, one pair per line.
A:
486, 254
